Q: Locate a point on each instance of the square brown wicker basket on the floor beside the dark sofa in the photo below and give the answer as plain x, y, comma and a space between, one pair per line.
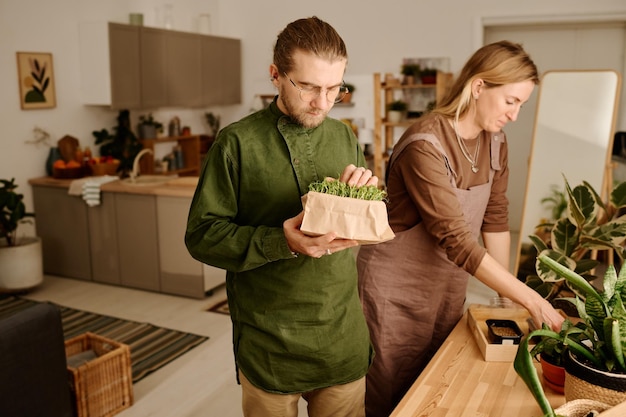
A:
103, 385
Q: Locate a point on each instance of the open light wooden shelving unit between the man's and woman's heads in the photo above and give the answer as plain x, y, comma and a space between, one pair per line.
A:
385, 93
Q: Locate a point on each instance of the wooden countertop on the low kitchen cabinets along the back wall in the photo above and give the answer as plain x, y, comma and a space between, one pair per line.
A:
177, 187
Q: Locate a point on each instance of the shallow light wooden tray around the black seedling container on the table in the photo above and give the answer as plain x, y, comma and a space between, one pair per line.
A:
477, 321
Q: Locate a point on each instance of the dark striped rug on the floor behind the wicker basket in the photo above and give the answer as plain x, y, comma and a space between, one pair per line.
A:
150, 346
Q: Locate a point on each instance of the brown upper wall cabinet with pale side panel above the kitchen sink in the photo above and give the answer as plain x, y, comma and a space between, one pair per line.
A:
135, 67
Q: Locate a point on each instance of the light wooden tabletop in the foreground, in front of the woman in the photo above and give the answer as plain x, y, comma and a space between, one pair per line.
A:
459, 382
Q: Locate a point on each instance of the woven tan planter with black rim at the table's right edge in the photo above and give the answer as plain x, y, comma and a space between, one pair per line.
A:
583, 381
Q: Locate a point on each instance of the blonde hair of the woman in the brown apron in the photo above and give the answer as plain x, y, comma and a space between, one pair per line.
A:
497, 64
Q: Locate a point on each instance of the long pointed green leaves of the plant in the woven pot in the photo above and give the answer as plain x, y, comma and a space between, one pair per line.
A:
599, 339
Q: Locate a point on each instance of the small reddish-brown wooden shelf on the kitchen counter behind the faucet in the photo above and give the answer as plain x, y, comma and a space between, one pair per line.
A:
194, 148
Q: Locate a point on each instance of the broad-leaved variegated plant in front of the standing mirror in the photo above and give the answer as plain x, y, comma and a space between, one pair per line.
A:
588, 223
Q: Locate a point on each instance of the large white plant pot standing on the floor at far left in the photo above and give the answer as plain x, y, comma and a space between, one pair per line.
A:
21, 266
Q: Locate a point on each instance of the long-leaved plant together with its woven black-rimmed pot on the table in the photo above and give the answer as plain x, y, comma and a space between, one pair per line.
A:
596, 345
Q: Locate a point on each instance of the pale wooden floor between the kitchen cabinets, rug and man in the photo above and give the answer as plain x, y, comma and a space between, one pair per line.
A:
199, 383
